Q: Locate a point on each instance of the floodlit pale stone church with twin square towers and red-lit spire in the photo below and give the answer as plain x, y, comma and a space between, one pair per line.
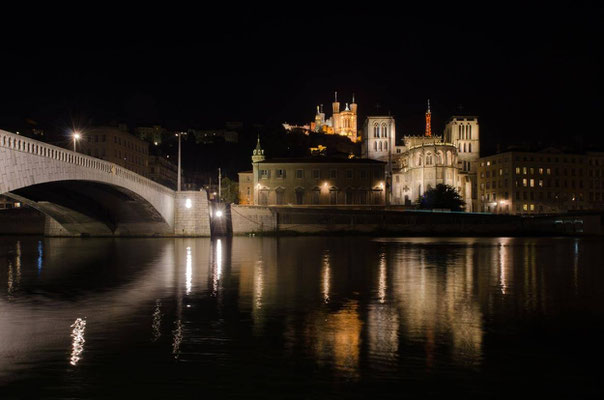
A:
424, 161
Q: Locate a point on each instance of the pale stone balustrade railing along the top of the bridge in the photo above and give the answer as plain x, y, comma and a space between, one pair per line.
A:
31, 146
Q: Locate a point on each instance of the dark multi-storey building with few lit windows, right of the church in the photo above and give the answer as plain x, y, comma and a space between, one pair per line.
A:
548, 181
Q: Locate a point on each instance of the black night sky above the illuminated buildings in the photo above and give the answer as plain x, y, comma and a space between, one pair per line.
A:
530, 74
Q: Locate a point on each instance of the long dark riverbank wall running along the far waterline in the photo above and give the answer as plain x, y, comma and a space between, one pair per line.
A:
380, 220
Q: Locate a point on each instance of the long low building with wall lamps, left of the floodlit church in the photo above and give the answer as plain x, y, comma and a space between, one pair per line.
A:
314, 181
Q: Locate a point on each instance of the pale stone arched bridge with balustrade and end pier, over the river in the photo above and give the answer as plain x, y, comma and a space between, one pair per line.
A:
84, 195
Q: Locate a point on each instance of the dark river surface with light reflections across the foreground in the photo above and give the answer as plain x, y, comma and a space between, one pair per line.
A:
301, 318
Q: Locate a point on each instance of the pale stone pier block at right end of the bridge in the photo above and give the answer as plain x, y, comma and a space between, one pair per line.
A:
191, 214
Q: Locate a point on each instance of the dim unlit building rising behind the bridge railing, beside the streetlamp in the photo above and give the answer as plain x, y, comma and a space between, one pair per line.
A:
117, 146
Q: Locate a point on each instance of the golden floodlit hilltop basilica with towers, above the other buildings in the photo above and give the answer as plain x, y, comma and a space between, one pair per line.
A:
342, 122
